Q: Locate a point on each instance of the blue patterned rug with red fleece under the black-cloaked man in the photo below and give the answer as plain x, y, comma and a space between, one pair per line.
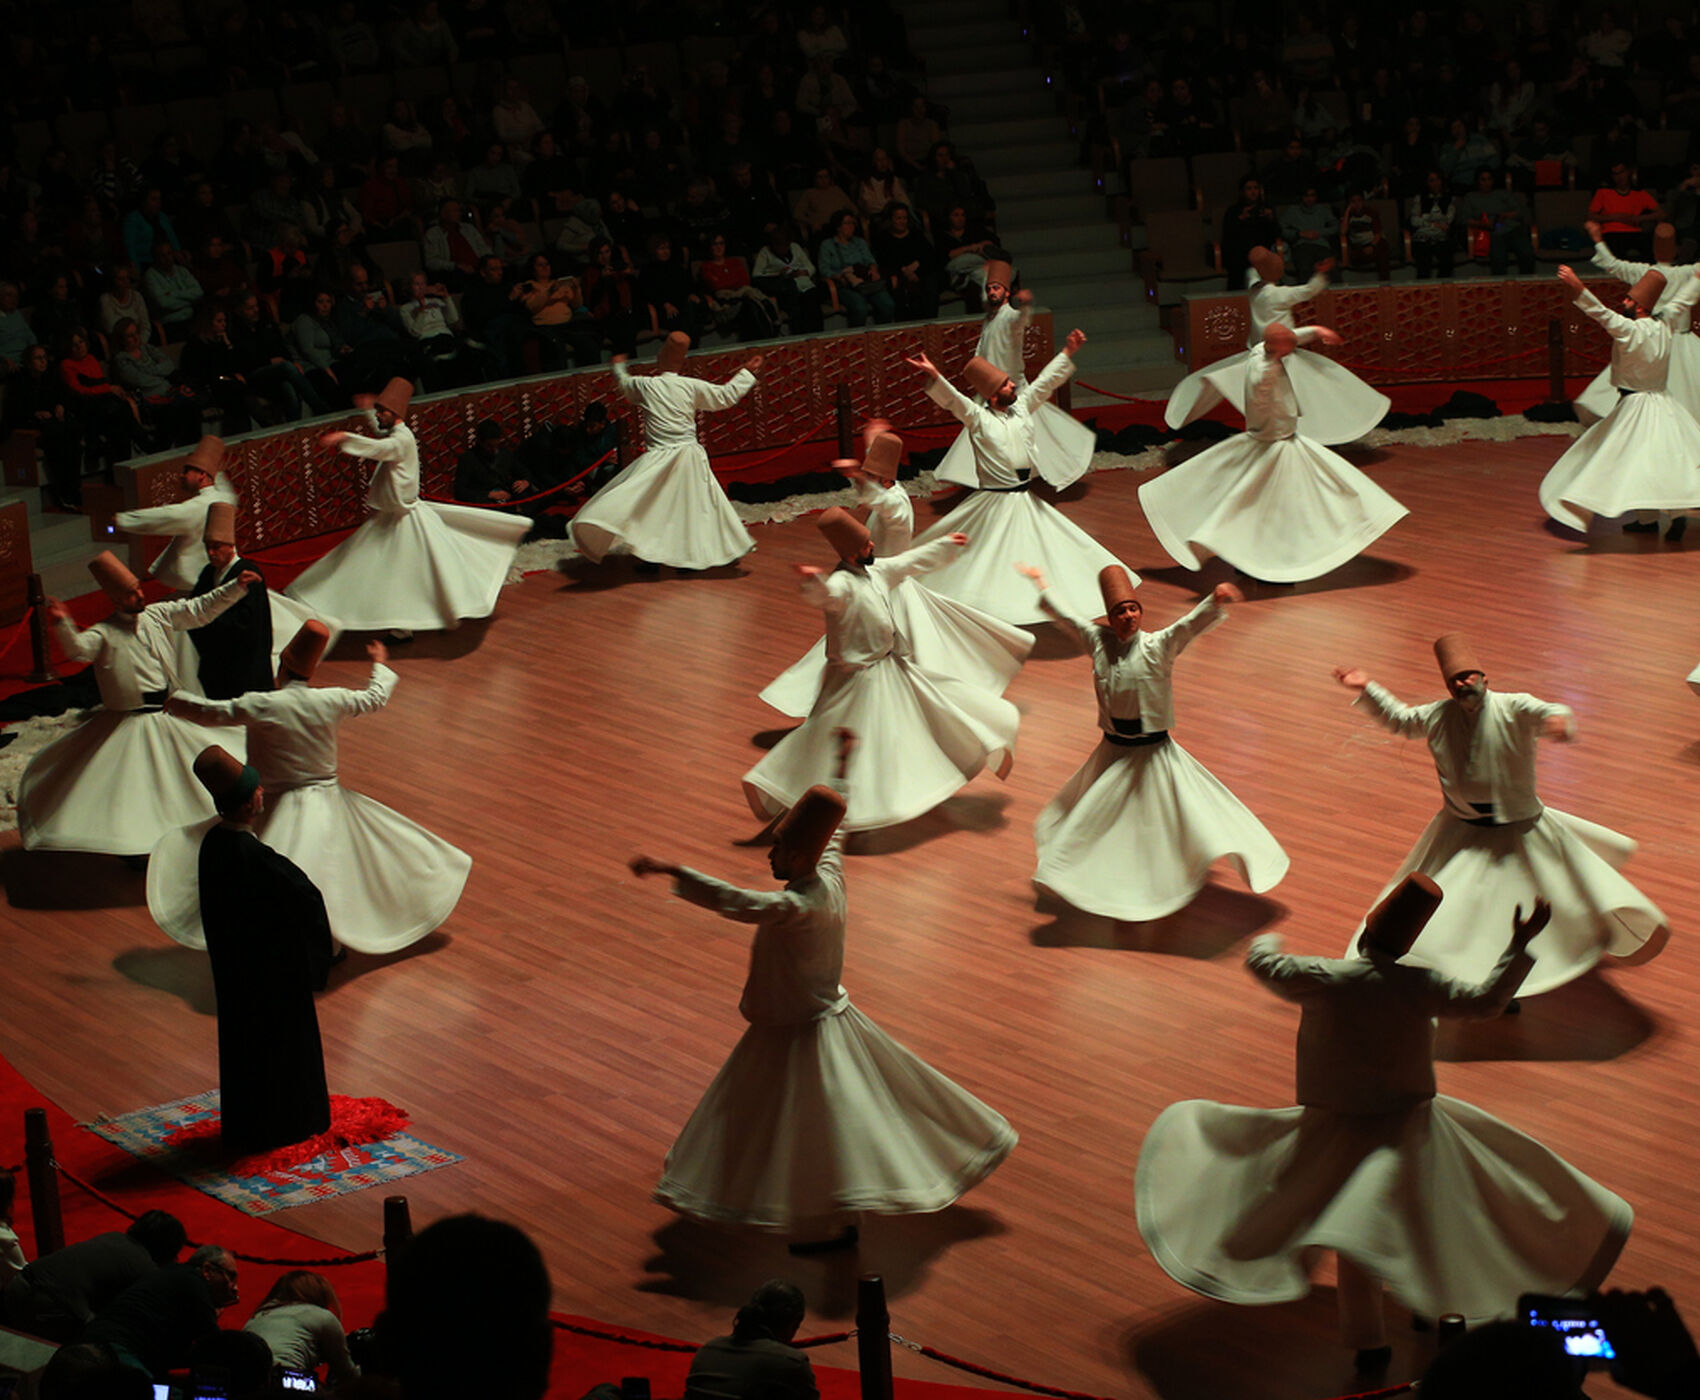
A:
365, 1148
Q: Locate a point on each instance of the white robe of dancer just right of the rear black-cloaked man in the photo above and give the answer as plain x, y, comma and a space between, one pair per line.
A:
414, 565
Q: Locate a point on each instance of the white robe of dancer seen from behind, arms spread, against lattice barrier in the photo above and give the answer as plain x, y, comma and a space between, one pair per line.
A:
667, 507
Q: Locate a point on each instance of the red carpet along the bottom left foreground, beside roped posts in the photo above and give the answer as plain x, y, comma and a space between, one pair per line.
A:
579, 1362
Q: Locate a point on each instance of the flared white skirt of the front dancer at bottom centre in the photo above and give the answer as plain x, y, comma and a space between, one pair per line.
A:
829, 1117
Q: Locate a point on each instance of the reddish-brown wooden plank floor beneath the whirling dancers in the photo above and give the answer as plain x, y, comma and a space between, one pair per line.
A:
565, 1022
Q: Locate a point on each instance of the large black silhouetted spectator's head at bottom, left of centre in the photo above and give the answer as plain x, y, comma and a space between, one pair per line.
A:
467, 1312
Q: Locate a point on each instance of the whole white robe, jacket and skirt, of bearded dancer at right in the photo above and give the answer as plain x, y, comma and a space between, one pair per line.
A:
1533, 852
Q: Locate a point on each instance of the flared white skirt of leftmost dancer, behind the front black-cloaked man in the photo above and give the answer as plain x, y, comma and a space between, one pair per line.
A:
118, 782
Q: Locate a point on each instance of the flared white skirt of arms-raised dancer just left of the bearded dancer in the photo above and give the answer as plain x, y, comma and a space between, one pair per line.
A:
1136, 830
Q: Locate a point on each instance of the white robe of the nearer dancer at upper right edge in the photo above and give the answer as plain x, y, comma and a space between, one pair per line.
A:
1645, 454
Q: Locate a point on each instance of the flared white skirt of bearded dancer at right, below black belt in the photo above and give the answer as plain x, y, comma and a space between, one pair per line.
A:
1487, 872
